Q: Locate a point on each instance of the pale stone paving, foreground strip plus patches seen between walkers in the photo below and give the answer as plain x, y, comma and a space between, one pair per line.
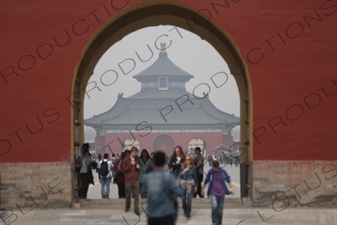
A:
97, 211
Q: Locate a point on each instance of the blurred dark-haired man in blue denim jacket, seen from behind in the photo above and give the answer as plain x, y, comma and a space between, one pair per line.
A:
162, 190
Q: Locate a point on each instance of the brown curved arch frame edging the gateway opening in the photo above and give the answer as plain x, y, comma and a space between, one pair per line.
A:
165, 12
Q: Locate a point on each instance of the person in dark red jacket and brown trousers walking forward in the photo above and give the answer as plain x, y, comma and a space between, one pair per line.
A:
131, 169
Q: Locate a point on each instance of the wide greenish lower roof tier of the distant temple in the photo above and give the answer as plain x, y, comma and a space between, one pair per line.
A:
154, 105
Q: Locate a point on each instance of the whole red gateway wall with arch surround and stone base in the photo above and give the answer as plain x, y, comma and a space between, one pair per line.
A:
290, 153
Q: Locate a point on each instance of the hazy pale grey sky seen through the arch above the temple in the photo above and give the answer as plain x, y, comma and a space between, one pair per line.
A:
187, 51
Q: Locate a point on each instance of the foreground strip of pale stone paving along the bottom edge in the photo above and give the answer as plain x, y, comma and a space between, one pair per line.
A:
232, 216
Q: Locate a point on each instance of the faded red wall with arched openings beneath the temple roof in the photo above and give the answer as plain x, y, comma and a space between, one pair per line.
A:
113, 141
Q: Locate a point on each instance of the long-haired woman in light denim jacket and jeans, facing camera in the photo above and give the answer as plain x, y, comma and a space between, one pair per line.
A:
188, 179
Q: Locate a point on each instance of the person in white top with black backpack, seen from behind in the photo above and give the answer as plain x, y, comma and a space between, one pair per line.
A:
105, 168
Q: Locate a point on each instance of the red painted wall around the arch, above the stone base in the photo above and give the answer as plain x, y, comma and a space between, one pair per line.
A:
291, 62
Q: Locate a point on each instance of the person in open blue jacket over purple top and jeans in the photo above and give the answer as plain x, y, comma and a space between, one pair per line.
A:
216, 178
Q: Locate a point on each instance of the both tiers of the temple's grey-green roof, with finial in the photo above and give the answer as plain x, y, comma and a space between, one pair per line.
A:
147, 104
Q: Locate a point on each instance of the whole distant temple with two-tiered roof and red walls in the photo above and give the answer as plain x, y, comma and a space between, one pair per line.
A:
162, 115
